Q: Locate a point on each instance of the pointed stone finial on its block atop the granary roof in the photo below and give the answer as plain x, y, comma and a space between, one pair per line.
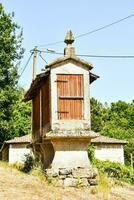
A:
69, 39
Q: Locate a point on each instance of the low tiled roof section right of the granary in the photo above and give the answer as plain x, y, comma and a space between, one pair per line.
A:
108, 140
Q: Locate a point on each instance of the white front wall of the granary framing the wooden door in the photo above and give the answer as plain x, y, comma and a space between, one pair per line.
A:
69, 68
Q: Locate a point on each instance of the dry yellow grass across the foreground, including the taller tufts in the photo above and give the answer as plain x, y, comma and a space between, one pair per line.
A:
19, 186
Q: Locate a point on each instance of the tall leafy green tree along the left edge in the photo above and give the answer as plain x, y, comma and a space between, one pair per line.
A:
10, 56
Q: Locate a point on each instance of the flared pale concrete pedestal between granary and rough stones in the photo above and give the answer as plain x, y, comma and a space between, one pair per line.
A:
70, 153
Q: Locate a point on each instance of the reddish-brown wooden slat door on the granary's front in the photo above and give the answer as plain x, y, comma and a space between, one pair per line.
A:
70, 96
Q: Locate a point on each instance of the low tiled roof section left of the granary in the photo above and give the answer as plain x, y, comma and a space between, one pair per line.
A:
23, 139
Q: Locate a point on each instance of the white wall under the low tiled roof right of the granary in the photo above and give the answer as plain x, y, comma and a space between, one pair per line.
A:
111, 152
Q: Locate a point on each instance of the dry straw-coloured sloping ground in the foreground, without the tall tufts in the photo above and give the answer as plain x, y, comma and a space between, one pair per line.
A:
18, 186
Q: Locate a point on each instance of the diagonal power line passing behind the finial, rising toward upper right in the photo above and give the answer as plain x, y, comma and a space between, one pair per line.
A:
90, 32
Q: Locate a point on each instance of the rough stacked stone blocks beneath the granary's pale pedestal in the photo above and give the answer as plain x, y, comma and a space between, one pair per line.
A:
76, 177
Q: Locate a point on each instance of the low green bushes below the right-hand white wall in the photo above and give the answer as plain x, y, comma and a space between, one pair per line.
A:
115, 170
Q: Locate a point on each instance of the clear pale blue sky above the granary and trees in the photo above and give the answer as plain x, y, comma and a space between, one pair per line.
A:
47, 21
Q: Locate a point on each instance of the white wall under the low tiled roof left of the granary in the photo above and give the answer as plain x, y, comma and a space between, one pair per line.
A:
17, 152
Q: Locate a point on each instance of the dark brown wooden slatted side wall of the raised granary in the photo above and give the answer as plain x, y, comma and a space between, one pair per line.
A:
41, 111
